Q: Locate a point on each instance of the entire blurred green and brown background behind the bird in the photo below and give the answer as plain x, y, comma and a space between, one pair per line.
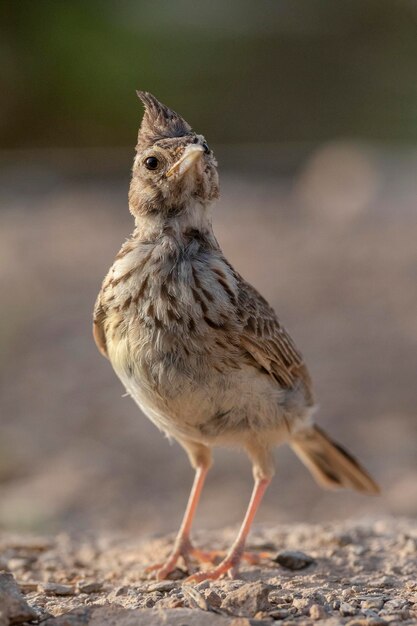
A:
311, 109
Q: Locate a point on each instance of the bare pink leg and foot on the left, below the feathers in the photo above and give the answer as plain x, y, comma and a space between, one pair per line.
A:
183, 546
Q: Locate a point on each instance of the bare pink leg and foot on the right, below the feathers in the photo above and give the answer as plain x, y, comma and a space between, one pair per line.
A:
231, 562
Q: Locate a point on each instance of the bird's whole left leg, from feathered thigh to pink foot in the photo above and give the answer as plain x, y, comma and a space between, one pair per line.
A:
201, 459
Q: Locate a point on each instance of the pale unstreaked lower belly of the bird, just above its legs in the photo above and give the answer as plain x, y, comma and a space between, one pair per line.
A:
213, 408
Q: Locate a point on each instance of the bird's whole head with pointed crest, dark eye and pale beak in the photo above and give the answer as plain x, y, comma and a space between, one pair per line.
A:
174, 168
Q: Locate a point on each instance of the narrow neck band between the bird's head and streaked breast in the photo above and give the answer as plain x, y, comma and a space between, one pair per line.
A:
195, 218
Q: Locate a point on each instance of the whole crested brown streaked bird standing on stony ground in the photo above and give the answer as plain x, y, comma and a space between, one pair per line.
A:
199, 350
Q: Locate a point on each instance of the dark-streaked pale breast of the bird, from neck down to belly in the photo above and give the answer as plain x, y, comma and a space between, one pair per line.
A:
169, 330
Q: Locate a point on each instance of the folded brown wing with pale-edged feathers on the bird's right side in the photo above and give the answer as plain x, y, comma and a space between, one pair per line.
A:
267, 342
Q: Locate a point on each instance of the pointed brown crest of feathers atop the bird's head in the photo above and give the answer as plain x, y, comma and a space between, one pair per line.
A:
159, 122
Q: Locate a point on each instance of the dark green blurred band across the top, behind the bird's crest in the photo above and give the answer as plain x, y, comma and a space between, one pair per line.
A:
238, 70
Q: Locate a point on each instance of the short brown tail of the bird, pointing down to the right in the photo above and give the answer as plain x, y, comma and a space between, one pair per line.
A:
331, 465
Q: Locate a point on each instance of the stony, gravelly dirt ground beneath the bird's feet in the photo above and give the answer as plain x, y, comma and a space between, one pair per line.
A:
354, 573
